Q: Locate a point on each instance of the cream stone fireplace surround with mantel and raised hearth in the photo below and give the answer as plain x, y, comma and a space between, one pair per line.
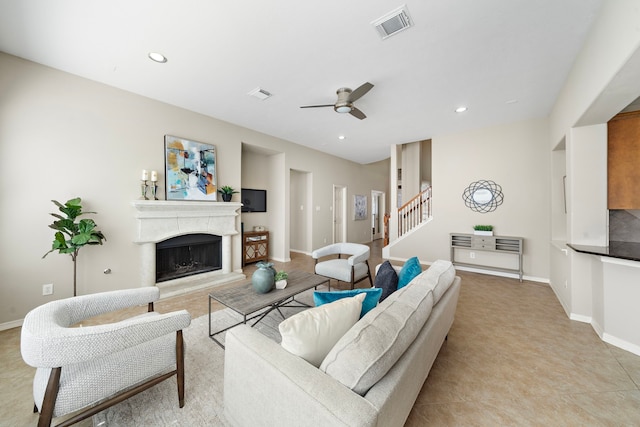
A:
160, 220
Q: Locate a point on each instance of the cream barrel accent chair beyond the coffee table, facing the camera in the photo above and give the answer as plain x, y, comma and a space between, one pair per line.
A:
352, 269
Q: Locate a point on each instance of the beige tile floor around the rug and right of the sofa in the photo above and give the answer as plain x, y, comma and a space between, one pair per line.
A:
513, 358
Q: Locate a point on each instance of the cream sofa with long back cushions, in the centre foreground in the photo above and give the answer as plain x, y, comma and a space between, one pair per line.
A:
371, 377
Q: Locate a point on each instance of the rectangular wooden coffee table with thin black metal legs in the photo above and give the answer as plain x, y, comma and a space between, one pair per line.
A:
242, 299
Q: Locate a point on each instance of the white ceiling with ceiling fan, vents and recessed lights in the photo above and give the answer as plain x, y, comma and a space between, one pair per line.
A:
504, 59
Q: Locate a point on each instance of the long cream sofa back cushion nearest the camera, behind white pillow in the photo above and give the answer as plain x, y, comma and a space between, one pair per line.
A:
373, 345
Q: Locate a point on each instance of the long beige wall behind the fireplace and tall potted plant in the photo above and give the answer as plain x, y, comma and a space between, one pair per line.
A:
62, 136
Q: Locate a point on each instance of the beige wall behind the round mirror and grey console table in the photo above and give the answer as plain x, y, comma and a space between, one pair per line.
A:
515, 156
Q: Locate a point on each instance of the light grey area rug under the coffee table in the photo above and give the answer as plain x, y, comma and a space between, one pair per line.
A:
204, 374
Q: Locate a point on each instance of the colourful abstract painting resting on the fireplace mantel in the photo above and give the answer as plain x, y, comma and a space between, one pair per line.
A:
190, 169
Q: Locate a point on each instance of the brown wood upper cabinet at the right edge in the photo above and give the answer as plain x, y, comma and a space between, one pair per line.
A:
623, 161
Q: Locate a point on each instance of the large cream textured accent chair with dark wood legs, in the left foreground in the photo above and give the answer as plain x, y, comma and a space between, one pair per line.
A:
80, 367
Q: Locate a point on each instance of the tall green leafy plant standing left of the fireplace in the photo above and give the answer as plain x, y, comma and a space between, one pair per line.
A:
71, 235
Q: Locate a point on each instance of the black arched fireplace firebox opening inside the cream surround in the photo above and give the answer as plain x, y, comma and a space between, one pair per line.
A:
187, 255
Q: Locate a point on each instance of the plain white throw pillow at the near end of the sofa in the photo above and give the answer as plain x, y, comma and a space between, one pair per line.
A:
310, 334
